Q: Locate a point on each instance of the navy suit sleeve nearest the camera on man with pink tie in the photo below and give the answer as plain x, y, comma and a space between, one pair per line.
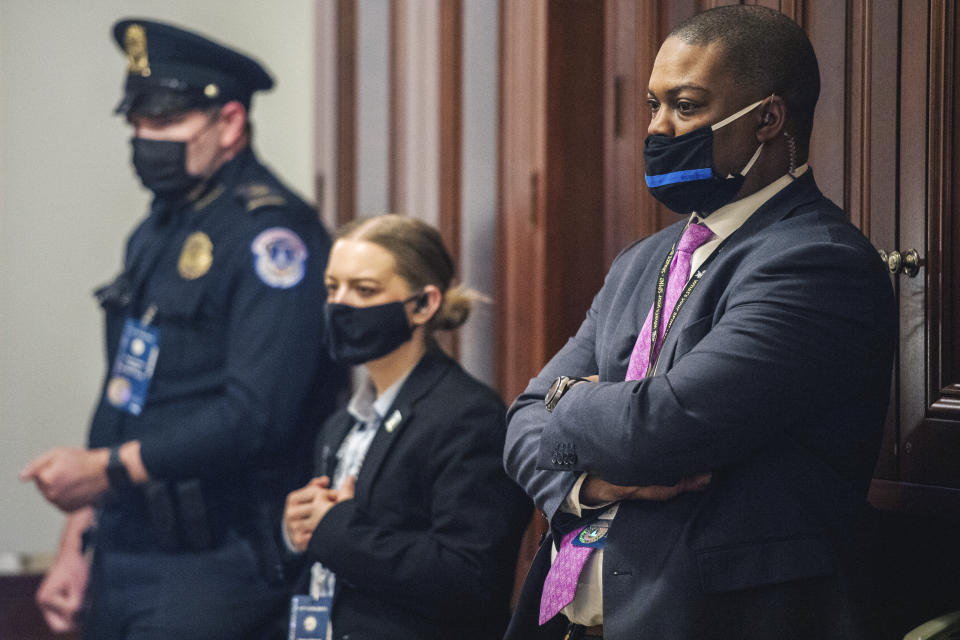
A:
806, 328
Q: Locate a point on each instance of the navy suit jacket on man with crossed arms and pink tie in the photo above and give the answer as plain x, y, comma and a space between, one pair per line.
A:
775, 377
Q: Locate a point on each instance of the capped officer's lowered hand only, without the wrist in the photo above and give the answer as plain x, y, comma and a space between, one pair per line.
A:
61, 593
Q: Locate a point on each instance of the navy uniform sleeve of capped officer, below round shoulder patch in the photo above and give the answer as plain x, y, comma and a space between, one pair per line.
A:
273, 339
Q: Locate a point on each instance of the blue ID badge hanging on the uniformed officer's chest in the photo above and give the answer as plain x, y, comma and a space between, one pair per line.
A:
134, 364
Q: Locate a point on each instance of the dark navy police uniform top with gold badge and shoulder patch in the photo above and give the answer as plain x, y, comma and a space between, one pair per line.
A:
236, 278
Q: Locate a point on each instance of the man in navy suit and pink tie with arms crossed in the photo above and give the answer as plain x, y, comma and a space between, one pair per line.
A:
710, 432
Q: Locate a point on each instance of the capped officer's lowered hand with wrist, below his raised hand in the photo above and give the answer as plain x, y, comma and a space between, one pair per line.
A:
60, 595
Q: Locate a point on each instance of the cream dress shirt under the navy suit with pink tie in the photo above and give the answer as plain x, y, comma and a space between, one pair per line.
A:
587, 605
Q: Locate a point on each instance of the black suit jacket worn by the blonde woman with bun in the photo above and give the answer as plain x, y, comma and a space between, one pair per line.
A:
428, 546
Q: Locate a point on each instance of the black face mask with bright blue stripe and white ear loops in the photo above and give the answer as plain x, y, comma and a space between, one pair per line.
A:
679, 169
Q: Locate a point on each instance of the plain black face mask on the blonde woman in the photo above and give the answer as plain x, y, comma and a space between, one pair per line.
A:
360, 334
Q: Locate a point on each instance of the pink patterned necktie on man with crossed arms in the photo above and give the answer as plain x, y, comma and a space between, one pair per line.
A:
560, 587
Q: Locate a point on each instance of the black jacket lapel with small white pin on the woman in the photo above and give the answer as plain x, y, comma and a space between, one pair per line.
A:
423, 378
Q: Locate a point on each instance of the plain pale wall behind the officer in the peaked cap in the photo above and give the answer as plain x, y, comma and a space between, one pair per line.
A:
68, 198
